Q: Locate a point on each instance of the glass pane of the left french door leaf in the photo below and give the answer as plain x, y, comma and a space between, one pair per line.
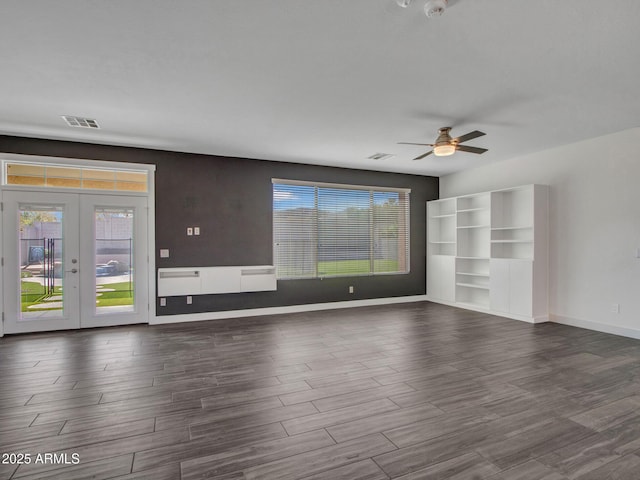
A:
40, 250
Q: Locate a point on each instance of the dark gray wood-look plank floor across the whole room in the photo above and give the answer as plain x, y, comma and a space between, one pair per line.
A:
413, 391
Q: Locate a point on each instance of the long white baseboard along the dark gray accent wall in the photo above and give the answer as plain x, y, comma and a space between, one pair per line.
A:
255, 312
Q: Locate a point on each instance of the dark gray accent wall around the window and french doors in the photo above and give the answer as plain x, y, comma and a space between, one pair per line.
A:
230, 199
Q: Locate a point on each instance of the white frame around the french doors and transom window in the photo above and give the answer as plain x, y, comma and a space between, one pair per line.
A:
150, 194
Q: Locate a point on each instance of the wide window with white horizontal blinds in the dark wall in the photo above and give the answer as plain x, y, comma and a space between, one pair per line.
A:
329, 230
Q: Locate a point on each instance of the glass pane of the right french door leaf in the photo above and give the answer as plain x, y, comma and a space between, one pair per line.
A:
114, 283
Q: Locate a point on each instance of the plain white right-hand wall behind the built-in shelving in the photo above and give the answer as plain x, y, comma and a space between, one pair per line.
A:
594, 225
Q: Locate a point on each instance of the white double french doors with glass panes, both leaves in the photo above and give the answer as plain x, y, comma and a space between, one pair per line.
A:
74, 260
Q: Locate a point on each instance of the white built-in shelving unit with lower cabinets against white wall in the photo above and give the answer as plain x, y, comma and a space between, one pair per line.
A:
488, 252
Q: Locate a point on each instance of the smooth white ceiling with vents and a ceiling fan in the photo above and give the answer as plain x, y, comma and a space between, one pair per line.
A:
326, 82
